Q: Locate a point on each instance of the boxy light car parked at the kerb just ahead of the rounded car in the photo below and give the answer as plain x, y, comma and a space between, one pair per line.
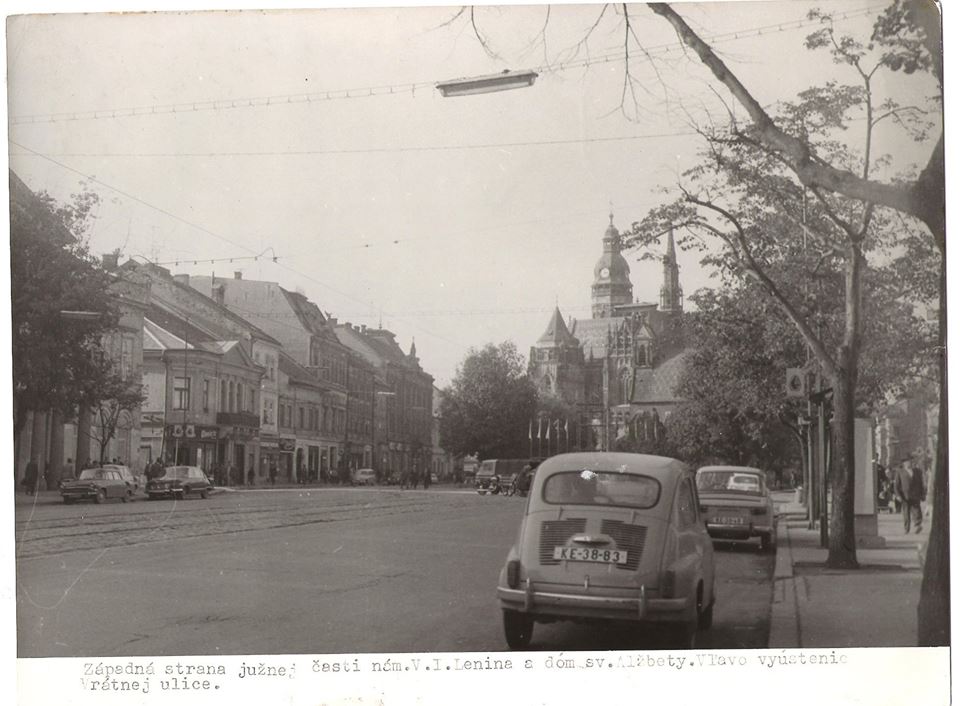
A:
737, 504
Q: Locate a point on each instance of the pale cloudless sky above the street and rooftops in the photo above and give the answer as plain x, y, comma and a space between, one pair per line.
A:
318, 138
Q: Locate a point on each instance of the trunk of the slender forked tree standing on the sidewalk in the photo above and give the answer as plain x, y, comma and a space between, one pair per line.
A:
842, 553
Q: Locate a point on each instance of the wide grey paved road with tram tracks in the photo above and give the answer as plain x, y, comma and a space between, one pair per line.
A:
293, 571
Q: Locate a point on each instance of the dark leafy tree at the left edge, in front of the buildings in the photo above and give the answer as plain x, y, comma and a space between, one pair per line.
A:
58, 362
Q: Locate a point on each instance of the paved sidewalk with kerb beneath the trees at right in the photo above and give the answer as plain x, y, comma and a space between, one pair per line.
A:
873, 606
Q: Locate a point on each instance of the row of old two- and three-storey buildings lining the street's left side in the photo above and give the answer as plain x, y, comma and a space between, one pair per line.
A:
250, 380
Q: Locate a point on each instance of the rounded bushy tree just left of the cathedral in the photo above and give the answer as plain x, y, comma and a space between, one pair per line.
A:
488, 406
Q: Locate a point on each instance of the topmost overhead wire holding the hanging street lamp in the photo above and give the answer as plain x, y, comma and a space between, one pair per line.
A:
403, 88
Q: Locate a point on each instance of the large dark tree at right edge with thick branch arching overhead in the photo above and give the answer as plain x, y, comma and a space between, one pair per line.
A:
909, 37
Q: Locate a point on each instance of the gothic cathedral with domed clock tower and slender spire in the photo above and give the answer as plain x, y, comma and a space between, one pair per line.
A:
619, 368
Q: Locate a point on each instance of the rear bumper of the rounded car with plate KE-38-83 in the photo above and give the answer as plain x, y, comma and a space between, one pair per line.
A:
639, 607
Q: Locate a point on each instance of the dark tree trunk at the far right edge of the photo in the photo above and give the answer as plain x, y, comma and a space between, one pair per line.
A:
933, 610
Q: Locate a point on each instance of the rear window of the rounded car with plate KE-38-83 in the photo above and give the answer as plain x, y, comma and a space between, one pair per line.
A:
590, 487
